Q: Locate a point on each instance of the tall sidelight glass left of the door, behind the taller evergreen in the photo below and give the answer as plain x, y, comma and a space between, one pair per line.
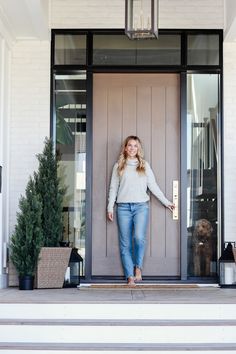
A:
70, 109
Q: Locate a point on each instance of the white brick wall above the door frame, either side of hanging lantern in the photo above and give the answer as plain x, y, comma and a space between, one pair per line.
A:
110, 13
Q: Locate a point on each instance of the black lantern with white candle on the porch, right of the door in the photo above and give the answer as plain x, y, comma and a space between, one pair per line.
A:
227, 266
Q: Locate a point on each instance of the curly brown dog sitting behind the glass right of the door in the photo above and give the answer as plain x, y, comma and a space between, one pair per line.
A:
202, 248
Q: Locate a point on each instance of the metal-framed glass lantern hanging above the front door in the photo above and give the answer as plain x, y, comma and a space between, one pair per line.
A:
141, 19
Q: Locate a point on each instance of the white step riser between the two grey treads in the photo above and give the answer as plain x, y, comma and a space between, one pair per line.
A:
110, 333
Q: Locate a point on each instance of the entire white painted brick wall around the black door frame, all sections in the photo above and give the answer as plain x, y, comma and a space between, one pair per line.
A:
31, 93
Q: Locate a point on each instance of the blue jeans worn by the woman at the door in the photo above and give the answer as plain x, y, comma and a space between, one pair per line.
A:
132, 219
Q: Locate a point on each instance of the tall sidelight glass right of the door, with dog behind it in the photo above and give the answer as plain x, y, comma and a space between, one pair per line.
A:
202, 166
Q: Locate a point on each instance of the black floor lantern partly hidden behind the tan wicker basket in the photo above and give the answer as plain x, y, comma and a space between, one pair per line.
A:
72, 277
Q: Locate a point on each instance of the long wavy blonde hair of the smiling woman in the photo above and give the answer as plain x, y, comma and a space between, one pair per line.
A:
122, 161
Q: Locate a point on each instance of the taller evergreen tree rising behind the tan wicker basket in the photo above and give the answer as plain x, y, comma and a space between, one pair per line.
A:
48, 187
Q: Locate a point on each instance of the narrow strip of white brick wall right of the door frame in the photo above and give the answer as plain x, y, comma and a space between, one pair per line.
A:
229, 140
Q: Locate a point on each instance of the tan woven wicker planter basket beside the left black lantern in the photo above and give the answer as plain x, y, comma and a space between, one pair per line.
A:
52, 265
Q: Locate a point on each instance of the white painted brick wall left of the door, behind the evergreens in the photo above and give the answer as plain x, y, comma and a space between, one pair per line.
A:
30, 113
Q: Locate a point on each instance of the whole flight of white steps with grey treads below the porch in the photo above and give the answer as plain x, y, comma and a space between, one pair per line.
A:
131, 328
